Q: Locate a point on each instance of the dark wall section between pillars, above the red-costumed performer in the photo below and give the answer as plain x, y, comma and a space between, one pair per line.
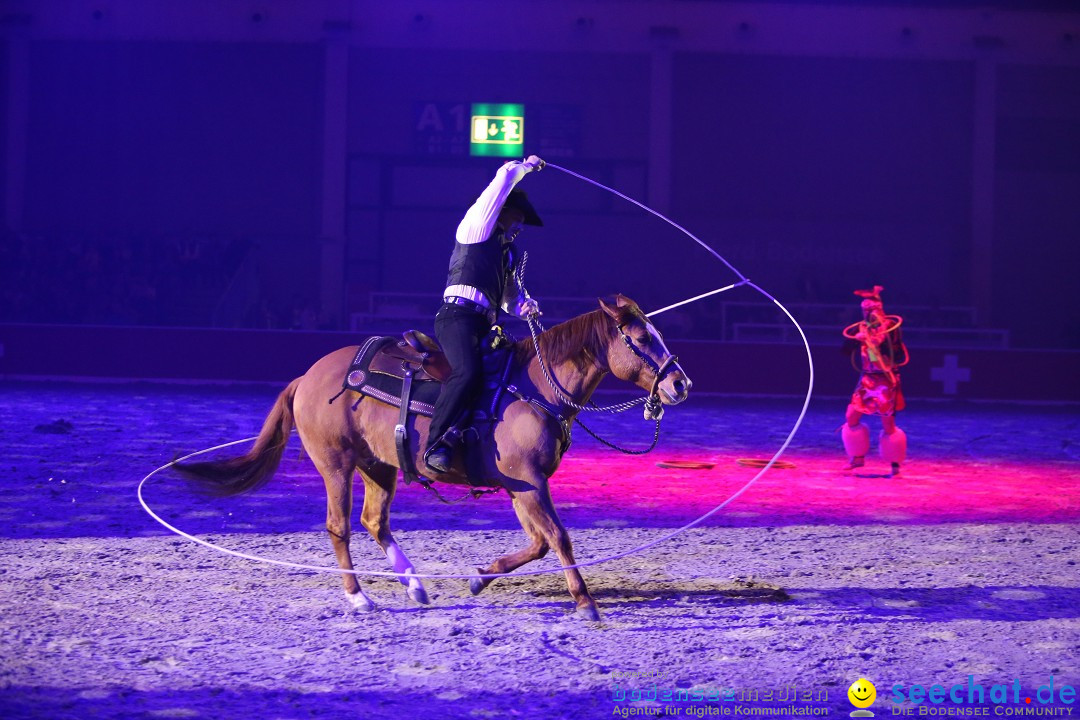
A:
828, 174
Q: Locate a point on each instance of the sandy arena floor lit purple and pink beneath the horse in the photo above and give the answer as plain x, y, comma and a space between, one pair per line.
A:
964, 566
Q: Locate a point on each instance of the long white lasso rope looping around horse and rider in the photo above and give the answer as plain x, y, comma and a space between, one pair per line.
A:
587, 564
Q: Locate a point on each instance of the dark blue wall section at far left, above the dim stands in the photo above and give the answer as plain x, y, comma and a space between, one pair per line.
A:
174, 138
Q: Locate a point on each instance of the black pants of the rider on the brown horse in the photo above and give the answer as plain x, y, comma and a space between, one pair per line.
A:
462, 333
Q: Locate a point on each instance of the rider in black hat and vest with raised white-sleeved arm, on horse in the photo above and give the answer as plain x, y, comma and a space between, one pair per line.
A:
481, 281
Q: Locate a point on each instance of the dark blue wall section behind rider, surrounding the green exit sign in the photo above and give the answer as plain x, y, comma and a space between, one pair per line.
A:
406, 205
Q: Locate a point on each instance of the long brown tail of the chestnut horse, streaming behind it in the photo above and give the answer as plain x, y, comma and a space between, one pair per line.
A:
251, 471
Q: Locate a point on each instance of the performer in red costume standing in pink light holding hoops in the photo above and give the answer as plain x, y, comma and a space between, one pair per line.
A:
876, 343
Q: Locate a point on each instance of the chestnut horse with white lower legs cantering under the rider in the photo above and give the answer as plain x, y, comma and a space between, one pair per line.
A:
520, 456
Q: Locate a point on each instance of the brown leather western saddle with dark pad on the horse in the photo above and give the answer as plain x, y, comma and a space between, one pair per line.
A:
409, 374
